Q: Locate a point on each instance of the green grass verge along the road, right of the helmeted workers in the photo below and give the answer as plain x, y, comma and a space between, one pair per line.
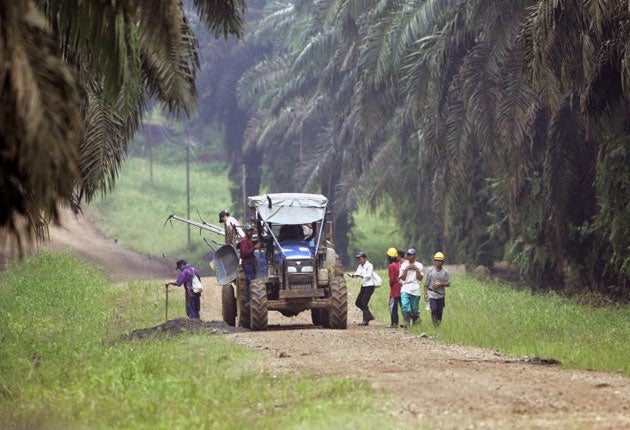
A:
519, 323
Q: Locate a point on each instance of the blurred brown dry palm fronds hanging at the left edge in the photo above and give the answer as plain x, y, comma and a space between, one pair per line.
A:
40, 122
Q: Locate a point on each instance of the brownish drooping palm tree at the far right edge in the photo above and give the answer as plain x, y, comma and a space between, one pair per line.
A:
577, 61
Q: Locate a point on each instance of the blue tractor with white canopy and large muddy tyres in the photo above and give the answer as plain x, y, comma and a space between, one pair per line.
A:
297, 266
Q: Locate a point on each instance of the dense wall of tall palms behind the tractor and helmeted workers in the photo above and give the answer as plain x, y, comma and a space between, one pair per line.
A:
499, 129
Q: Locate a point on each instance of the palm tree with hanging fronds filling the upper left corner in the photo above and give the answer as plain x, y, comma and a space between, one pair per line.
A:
77, 78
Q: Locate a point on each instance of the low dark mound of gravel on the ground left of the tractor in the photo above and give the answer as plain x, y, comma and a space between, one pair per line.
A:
181, 326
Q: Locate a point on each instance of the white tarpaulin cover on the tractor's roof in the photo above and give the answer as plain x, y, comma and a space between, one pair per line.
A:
289, 208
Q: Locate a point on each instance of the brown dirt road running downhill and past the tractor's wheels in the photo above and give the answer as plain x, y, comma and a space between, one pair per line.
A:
444, 386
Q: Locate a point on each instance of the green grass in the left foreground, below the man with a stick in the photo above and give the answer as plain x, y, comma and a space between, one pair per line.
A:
64, 364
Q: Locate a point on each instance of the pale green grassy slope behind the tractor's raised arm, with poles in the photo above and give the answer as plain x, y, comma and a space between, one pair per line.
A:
135, 211
